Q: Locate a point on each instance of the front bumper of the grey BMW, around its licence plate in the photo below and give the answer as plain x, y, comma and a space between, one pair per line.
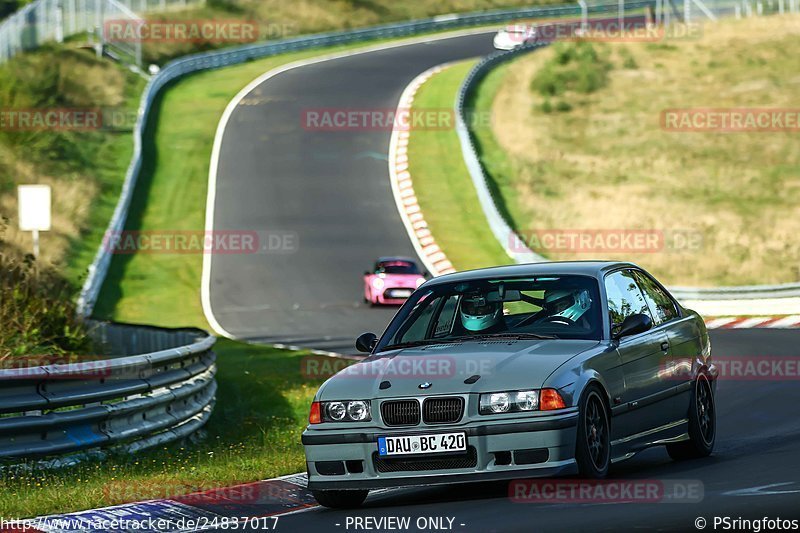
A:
540, 446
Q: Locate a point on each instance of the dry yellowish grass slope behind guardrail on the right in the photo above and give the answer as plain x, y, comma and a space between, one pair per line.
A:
604, 162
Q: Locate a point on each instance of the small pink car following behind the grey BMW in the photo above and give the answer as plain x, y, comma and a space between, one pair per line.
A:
392, 281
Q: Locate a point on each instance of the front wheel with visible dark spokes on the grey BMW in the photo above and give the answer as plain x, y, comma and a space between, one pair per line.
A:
593, 445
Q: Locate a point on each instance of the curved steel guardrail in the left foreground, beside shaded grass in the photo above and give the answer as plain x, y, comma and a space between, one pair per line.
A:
161, 389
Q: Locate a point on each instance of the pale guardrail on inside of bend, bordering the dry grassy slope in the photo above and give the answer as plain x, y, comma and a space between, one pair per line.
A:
744, 300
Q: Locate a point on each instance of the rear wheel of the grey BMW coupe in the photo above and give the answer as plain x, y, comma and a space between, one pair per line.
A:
702, 424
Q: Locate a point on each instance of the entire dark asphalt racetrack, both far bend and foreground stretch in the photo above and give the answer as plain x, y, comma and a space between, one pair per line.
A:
331, 190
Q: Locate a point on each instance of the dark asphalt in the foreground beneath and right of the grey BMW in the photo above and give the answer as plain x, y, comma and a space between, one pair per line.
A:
752, 474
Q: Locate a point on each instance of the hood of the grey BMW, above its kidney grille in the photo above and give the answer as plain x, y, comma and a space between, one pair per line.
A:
501, 365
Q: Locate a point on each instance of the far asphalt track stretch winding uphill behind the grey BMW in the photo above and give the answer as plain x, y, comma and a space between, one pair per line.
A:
328, 189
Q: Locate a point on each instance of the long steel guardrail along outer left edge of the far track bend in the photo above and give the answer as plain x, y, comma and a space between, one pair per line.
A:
222, 58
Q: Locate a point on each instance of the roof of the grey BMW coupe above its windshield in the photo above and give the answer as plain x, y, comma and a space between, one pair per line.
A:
594, 269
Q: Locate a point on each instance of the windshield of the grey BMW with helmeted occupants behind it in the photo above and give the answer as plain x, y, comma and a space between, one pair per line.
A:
553, 307
